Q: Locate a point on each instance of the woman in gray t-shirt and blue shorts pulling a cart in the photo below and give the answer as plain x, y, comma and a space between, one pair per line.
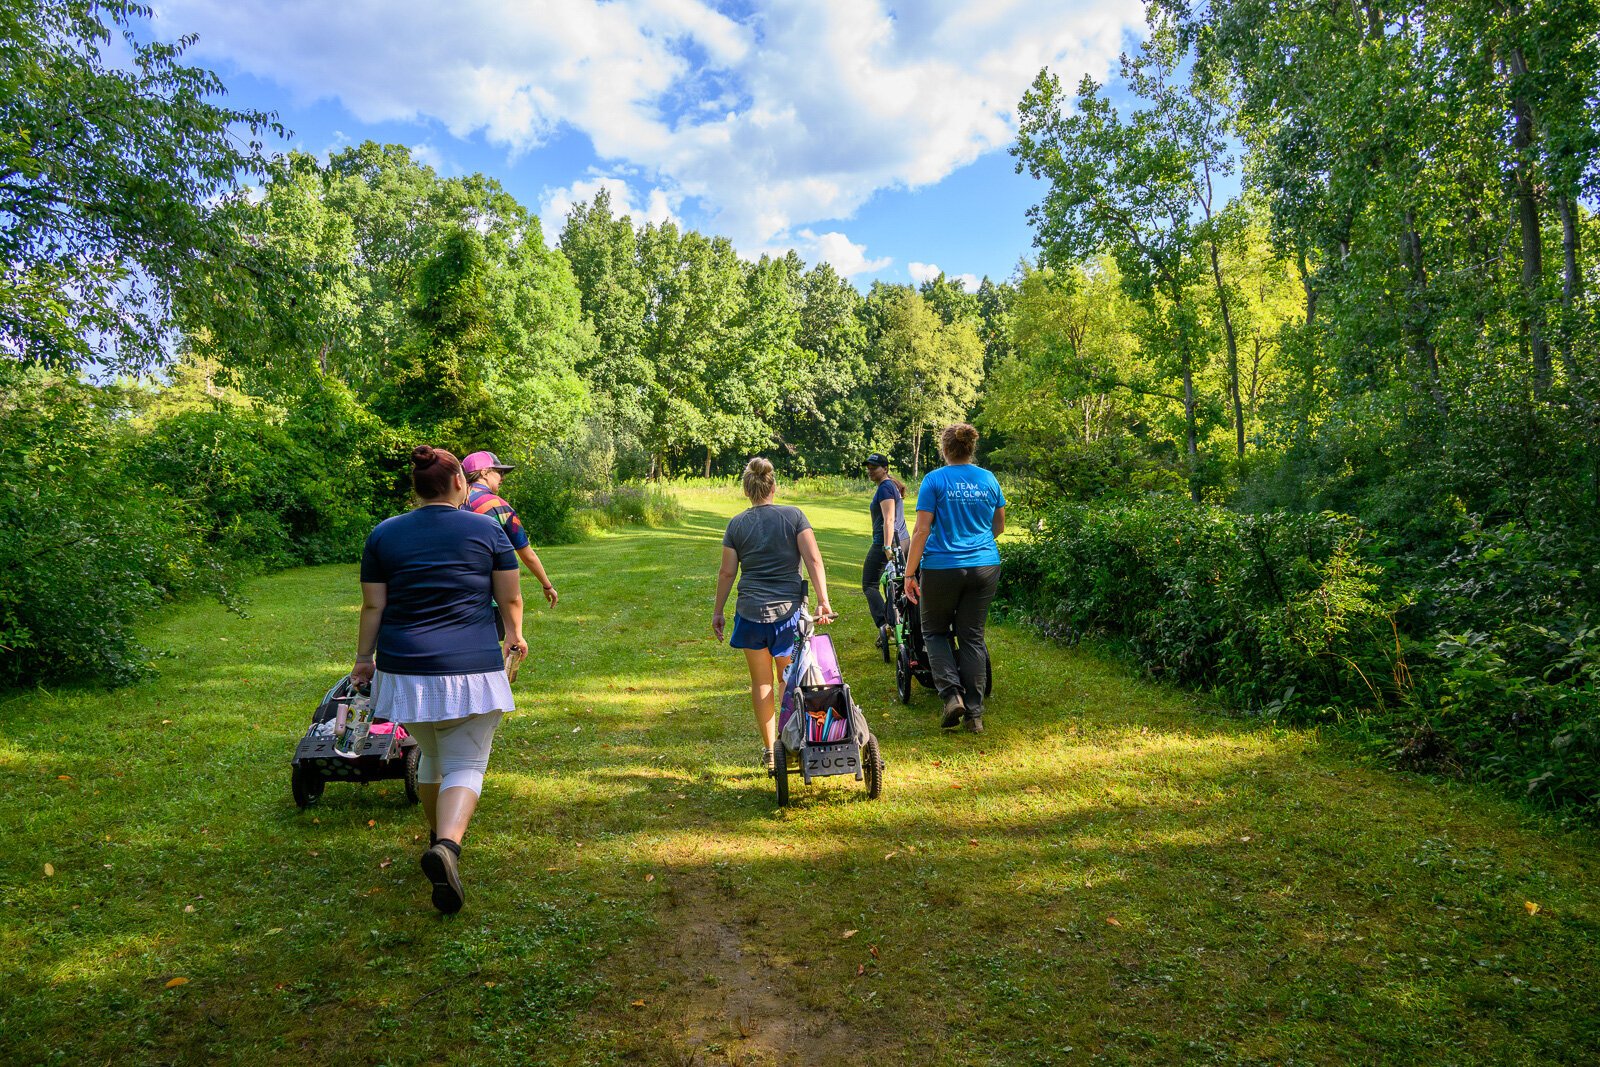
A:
766, 546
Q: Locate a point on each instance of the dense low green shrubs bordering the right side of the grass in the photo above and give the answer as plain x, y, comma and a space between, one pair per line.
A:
1486, 665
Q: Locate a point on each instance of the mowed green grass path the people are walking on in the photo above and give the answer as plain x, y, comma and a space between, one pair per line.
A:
1108, 876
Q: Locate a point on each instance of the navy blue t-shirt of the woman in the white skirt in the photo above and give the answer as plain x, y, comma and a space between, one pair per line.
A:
439, 565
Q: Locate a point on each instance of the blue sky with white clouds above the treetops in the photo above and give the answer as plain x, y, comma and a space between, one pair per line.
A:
871, 135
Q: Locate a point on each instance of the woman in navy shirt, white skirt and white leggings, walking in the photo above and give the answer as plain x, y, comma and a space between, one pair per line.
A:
430, 649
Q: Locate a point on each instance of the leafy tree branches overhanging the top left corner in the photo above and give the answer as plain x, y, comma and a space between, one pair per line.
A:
106, 180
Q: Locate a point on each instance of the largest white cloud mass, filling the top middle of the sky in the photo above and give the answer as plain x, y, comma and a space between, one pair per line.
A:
777, 121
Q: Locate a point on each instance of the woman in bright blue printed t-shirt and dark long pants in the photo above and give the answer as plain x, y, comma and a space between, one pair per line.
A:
953, 572
